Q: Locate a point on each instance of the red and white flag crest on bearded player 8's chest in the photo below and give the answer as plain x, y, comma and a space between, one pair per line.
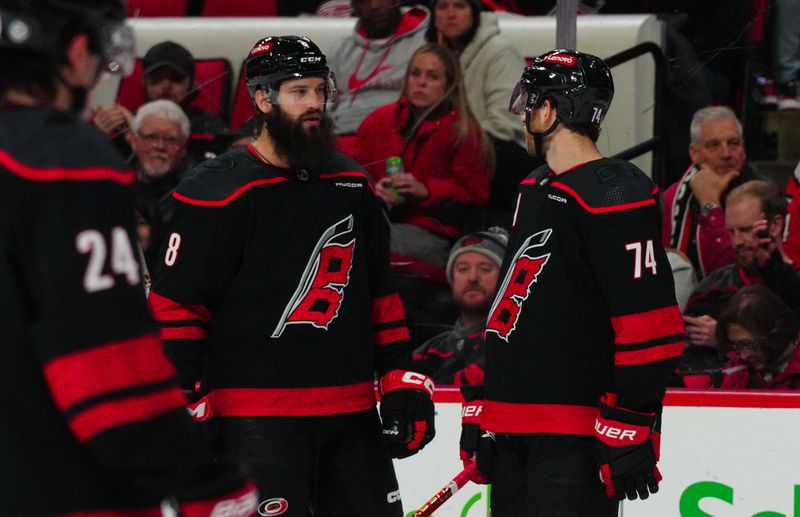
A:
318, 297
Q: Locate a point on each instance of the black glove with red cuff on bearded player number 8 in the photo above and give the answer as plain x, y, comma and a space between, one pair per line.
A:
406, 412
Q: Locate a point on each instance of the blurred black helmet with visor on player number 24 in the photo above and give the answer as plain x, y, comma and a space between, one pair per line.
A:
36, 26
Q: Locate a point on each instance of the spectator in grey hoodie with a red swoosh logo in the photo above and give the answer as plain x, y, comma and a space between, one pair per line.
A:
370, 64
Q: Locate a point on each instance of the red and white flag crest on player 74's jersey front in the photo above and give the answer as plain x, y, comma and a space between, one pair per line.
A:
523, 271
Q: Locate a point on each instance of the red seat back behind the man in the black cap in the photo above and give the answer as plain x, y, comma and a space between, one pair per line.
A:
212, 77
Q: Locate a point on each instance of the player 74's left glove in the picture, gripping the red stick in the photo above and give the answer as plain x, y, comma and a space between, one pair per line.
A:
476, 445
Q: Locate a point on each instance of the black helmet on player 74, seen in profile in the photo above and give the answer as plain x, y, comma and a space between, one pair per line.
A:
580, 85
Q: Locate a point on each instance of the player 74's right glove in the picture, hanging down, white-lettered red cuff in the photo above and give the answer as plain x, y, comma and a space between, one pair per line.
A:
627, 450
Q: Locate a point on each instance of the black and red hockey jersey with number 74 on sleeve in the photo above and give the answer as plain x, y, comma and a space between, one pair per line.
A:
585, 304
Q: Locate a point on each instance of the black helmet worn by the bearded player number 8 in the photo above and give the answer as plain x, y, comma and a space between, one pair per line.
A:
276, 59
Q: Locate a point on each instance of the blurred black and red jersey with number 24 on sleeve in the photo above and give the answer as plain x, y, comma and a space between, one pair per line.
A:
93, 422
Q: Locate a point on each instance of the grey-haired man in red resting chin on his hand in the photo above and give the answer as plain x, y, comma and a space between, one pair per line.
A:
694, 221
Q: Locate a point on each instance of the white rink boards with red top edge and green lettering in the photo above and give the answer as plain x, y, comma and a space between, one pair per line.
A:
723, 454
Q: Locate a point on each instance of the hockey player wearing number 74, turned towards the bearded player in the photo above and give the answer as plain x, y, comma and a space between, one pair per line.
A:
584, 327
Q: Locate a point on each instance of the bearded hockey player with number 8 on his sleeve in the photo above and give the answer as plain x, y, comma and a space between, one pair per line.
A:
274, 296
